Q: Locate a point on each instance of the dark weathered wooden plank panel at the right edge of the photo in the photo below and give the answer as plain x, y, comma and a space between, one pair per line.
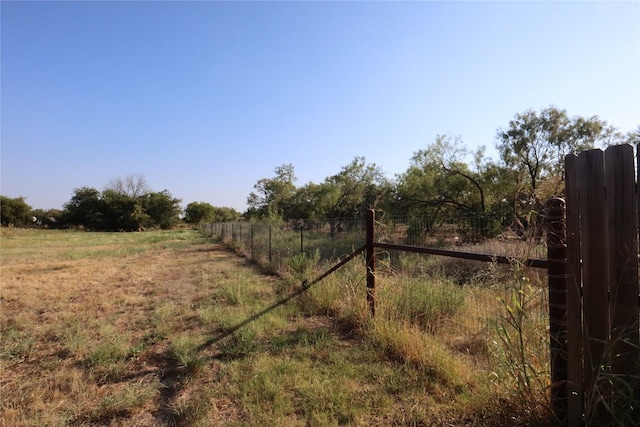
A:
601, 384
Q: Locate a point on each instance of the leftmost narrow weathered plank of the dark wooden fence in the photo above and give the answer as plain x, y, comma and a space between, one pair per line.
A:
574, 296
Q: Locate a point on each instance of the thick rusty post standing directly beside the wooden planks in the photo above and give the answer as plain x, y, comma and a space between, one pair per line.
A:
557, 276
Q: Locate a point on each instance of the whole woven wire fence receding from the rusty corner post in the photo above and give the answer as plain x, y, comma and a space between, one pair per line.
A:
484, 290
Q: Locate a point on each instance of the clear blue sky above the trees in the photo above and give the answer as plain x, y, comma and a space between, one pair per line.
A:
206, 98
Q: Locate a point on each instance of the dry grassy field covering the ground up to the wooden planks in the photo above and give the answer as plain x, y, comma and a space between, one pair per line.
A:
173, 328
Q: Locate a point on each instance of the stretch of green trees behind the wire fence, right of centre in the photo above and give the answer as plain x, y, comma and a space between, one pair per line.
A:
445, 181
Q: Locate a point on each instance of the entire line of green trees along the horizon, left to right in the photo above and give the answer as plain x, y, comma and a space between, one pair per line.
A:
444, 181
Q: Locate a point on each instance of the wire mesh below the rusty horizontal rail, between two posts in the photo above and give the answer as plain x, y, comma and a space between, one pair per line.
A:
485, 291
